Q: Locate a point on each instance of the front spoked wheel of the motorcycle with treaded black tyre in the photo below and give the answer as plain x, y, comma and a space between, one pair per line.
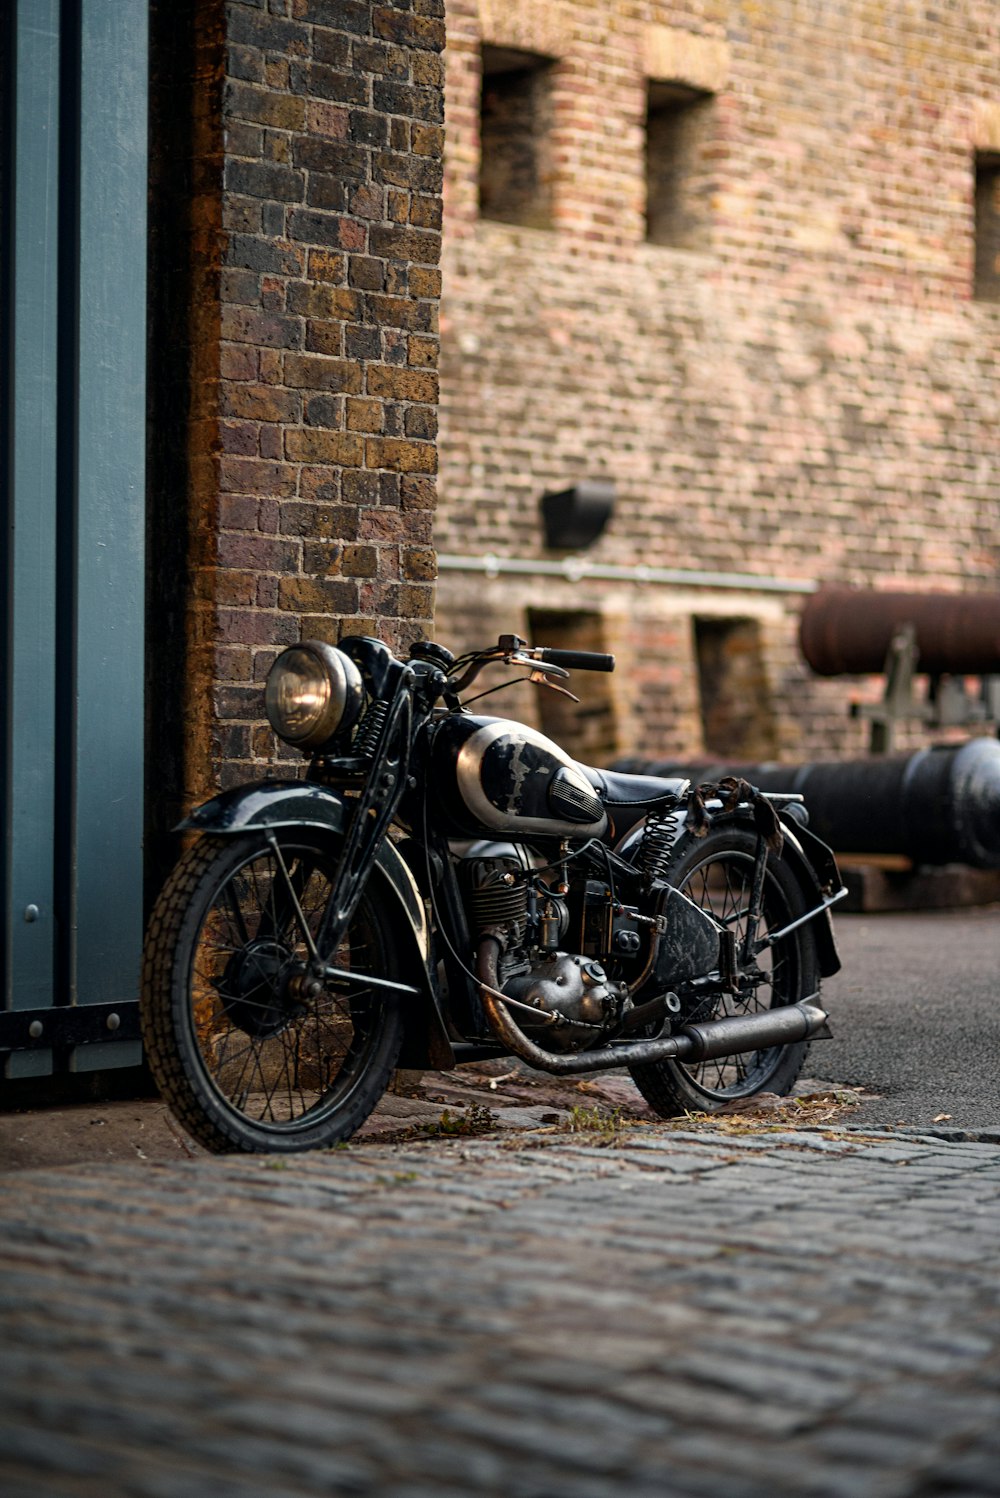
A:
251, 1052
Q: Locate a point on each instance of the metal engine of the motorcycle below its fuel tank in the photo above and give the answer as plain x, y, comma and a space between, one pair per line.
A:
573, 950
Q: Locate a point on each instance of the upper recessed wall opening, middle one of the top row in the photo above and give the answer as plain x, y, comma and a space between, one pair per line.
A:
680, 133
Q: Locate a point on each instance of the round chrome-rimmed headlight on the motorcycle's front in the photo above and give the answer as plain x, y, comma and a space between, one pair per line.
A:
312, 691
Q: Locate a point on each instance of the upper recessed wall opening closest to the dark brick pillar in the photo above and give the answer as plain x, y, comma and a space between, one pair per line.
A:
516, 127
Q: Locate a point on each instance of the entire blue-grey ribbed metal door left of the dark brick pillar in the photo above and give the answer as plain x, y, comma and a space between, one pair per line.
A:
74, 513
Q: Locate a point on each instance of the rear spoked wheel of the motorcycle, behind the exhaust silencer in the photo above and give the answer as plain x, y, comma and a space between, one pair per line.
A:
716, 873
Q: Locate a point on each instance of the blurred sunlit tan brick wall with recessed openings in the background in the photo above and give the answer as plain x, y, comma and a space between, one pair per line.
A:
803, 390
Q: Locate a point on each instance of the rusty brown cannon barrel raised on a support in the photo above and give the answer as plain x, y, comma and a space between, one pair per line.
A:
848, 631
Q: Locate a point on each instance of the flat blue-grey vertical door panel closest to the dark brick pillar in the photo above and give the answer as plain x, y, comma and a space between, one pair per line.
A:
107, 919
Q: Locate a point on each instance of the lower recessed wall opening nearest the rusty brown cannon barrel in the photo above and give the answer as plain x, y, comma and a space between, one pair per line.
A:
736, 699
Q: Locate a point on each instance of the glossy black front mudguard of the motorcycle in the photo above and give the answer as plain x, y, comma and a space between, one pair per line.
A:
302, 804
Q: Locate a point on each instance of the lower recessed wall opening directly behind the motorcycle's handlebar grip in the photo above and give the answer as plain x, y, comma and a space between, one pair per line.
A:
591, 729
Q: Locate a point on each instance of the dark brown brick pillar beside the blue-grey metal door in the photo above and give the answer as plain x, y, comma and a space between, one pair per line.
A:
297, 198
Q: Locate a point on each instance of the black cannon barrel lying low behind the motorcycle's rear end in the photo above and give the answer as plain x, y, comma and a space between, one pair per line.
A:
933, 807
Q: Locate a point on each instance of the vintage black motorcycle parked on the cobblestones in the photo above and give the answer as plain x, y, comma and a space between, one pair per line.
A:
448, 888
